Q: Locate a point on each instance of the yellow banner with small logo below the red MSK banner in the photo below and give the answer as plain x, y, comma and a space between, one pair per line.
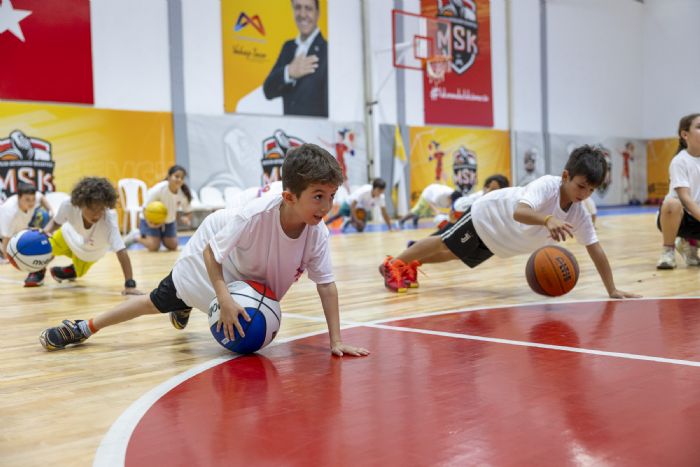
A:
447, 156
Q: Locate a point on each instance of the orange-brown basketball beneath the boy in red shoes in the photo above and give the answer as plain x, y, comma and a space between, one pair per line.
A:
552, 270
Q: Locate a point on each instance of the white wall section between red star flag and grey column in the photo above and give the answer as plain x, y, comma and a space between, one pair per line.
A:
130, 54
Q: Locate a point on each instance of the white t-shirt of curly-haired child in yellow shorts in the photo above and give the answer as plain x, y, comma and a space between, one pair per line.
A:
89, 244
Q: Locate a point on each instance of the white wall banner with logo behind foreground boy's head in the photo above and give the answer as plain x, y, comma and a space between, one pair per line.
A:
246, 152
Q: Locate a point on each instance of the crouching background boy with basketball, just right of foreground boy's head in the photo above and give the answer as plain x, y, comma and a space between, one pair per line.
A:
360, 203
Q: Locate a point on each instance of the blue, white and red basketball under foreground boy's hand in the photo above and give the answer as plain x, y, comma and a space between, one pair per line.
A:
265, 317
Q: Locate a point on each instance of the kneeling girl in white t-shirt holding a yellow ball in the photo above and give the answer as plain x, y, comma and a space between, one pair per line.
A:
174, 193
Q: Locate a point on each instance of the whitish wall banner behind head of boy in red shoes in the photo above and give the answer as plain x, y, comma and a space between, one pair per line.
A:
626, 182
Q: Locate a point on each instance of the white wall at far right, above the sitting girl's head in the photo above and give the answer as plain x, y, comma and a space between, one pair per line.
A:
671, 65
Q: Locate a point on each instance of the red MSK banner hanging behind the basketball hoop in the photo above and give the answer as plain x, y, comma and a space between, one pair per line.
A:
465, 96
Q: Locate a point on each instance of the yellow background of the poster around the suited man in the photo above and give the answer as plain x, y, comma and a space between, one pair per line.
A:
253, 35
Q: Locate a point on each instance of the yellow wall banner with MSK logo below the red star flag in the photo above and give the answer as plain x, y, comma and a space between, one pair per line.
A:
53, 146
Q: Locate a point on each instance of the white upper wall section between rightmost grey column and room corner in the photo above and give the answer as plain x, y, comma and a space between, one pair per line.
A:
595, 64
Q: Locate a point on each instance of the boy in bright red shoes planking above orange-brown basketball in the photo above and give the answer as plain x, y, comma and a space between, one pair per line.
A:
514, 221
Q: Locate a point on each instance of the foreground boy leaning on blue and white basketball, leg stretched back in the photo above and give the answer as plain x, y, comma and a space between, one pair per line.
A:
273, 240
